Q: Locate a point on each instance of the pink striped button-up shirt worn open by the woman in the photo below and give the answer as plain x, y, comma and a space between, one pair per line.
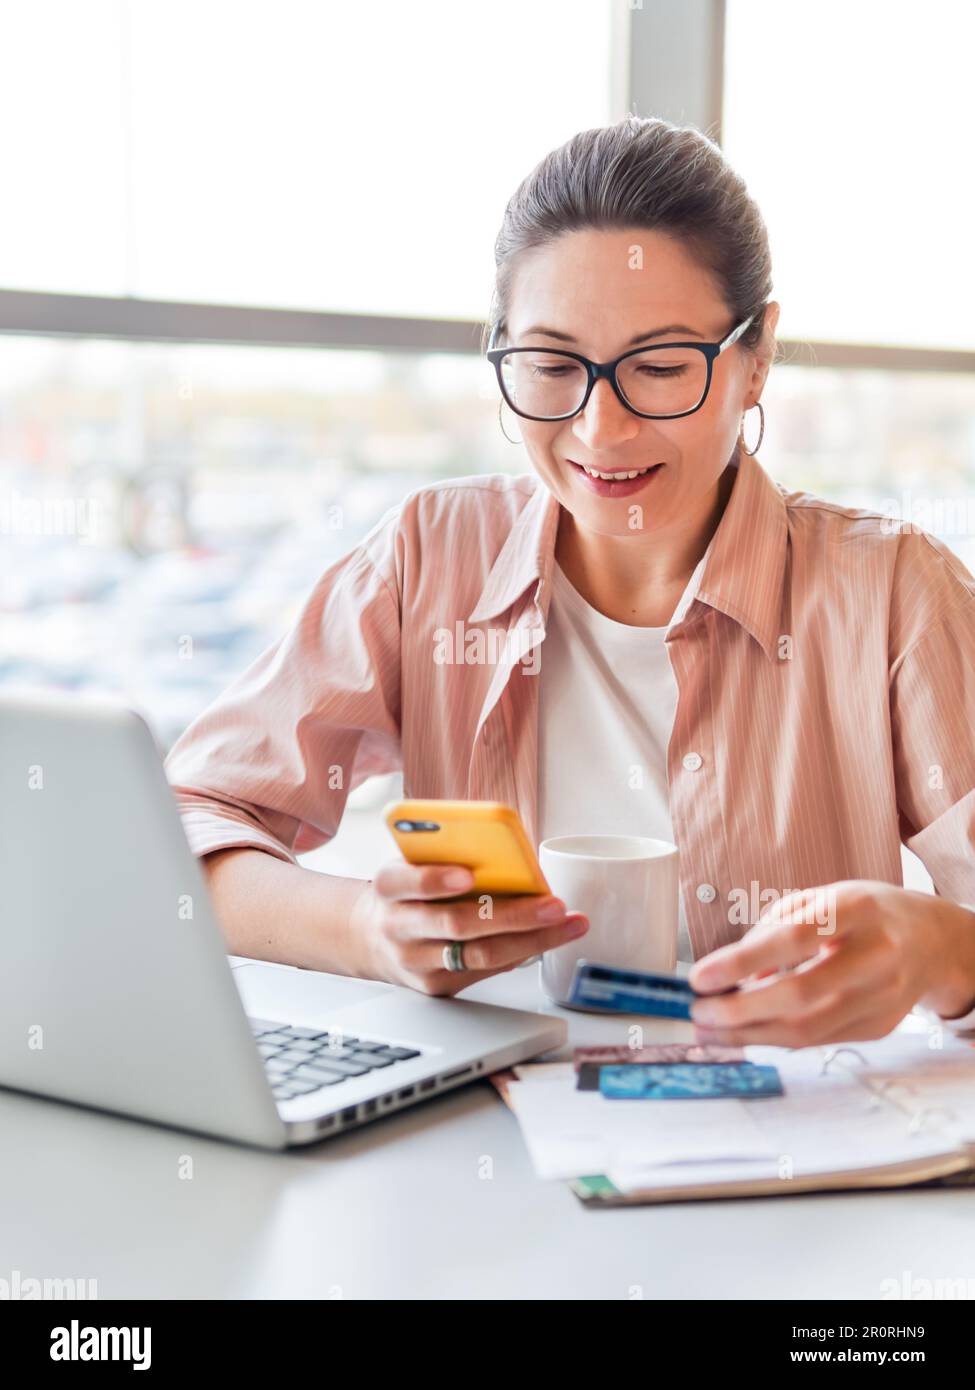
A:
825, 673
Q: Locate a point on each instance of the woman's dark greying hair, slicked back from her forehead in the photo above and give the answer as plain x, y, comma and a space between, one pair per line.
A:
643, 173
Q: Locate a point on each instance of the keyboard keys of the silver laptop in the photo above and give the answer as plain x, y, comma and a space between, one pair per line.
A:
300, 1061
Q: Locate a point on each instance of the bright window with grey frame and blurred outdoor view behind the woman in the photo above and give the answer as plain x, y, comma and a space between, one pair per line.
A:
247, 248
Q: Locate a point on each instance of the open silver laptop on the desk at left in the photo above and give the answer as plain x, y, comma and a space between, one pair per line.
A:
116, 990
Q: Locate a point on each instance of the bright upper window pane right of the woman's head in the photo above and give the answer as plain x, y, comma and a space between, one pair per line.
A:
852, 124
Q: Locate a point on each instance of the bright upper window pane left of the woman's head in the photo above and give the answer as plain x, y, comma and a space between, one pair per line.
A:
301, 154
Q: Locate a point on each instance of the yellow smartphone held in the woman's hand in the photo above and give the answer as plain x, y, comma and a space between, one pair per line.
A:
485, 836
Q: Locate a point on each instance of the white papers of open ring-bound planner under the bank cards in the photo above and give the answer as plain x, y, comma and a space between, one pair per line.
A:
866, 1113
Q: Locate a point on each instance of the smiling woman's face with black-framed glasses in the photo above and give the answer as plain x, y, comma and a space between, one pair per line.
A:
583, 294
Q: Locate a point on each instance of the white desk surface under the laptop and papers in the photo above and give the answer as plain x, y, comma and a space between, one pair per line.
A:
397, 1210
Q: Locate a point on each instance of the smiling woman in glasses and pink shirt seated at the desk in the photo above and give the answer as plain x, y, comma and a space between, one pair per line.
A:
782, 686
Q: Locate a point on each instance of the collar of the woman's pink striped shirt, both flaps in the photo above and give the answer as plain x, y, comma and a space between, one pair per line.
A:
743, 566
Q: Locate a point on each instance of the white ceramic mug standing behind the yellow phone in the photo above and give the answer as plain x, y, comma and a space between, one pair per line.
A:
628, 886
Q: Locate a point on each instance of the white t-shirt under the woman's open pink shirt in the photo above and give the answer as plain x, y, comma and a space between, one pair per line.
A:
606, 711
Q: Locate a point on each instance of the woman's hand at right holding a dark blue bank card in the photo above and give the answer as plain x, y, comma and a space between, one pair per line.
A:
859, 956
